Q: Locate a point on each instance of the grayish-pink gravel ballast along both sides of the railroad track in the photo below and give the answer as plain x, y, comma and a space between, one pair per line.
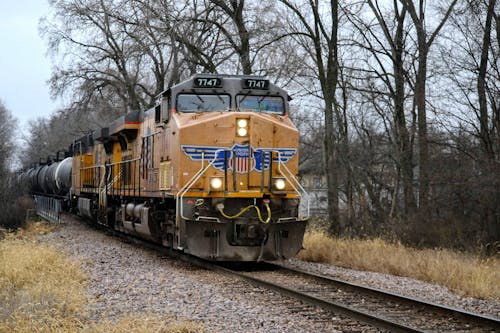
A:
127, 279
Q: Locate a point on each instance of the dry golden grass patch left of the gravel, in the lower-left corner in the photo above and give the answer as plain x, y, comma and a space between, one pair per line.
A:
43, 291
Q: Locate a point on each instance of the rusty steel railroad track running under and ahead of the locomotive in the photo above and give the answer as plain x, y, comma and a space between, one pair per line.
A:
377, 308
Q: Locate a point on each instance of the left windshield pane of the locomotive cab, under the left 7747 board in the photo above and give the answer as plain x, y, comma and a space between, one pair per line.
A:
202, 102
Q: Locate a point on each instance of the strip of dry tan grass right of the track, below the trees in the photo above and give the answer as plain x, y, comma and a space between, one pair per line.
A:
462, 273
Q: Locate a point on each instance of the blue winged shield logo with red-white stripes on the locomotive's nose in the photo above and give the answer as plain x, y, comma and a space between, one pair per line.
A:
240, 158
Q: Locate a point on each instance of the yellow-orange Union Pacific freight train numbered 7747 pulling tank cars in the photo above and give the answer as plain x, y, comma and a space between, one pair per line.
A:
210, 170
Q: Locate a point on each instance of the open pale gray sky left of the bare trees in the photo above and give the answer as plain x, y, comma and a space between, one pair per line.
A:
24, 68
